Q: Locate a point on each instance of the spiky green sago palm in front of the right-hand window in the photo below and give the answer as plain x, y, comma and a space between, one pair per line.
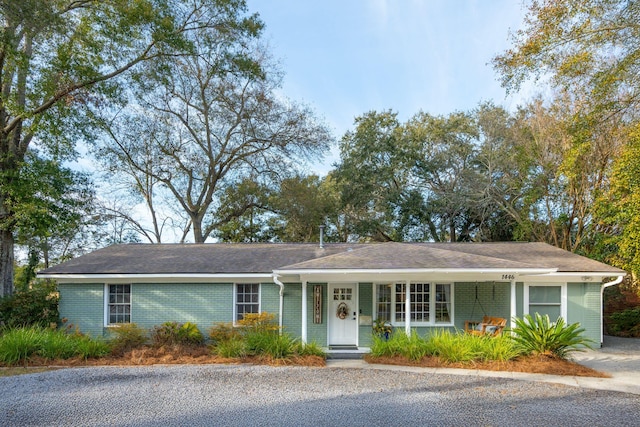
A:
540, 336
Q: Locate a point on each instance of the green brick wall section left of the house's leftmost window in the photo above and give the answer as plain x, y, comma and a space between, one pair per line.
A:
82, 305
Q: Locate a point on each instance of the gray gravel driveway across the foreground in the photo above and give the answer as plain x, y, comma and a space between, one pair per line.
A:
259, 395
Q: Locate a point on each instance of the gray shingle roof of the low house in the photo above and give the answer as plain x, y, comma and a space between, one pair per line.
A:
266, 257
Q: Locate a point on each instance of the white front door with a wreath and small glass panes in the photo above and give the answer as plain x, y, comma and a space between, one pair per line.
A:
343, 314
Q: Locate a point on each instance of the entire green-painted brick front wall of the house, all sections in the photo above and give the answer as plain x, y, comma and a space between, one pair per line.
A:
206, 304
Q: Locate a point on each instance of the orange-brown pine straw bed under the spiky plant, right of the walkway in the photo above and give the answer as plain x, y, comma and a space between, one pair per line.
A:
540, 364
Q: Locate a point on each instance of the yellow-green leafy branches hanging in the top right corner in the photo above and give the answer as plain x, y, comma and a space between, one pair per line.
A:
587, 47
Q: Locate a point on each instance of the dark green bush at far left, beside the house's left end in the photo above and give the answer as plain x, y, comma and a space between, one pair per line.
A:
31, 307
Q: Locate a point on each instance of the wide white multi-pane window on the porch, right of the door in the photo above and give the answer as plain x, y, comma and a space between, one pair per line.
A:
429, 302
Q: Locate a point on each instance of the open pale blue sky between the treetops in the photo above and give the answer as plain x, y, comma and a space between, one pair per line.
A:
345, 58
